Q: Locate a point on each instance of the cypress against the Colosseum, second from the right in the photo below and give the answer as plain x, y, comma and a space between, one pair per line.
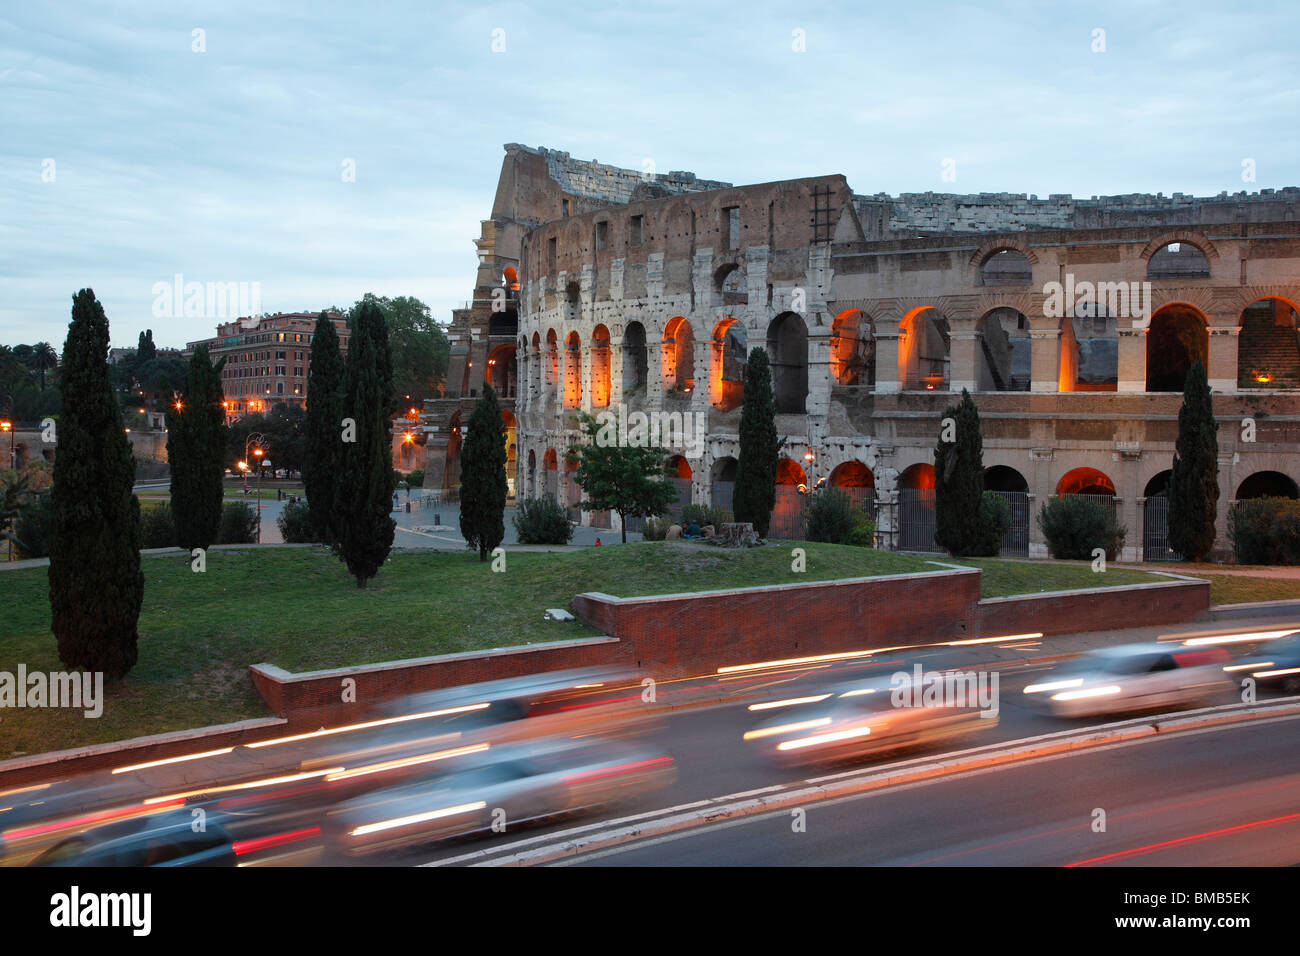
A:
960, 481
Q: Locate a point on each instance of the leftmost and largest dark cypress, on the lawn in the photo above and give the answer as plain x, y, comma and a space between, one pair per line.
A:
96, 581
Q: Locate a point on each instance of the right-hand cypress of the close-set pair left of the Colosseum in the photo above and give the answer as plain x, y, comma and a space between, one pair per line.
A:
365, 501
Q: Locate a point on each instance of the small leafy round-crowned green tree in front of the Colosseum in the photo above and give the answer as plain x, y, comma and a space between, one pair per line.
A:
619, 478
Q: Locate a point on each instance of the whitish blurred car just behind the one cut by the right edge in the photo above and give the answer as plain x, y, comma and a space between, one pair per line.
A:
1132, 678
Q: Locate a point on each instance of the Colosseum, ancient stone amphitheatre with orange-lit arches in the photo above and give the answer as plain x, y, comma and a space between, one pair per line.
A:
1072, 322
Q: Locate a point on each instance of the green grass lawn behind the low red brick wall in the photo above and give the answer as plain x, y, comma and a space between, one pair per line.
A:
298, 609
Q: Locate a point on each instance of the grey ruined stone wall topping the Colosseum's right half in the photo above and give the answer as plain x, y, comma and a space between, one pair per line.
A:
937, 214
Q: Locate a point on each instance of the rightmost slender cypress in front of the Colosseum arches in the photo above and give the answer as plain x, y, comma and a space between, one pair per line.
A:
1194, 486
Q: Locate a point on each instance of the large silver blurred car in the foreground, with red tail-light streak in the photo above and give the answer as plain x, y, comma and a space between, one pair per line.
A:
510, 786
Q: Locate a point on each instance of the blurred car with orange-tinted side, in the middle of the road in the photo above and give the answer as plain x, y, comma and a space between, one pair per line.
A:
856, 721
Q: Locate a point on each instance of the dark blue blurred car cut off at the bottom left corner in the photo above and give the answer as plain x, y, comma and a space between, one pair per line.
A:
159, 841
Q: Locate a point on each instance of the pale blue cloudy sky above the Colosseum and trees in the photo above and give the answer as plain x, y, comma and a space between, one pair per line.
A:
226, 166
